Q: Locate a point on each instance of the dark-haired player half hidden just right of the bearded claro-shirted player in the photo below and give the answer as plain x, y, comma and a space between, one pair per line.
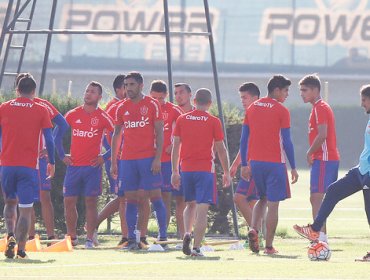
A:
170, 112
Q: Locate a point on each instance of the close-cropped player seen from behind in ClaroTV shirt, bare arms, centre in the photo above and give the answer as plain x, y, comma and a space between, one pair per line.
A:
197, 132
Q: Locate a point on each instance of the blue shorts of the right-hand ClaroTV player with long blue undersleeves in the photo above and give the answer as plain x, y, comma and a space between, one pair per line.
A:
271, 180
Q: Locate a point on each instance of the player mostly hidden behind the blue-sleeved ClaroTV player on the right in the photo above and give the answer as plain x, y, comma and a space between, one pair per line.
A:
245, 195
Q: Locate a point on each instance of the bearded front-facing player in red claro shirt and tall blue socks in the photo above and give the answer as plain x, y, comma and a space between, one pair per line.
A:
140, 159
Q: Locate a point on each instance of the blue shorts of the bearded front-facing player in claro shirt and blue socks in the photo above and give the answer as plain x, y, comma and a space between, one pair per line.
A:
137, 174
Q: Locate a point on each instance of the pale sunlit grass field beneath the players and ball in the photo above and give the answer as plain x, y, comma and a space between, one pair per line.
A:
348, 237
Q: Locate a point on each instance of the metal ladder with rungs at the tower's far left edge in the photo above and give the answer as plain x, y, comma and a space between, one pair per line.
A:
22, 16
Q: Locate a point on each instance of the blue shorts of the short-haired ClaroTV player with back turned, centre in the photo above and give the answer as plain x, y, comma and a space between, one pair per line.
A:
199, 187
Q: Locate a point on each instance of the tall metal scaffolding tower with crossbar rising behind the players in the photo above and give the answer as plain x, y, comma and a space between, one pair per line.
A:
22, 11
